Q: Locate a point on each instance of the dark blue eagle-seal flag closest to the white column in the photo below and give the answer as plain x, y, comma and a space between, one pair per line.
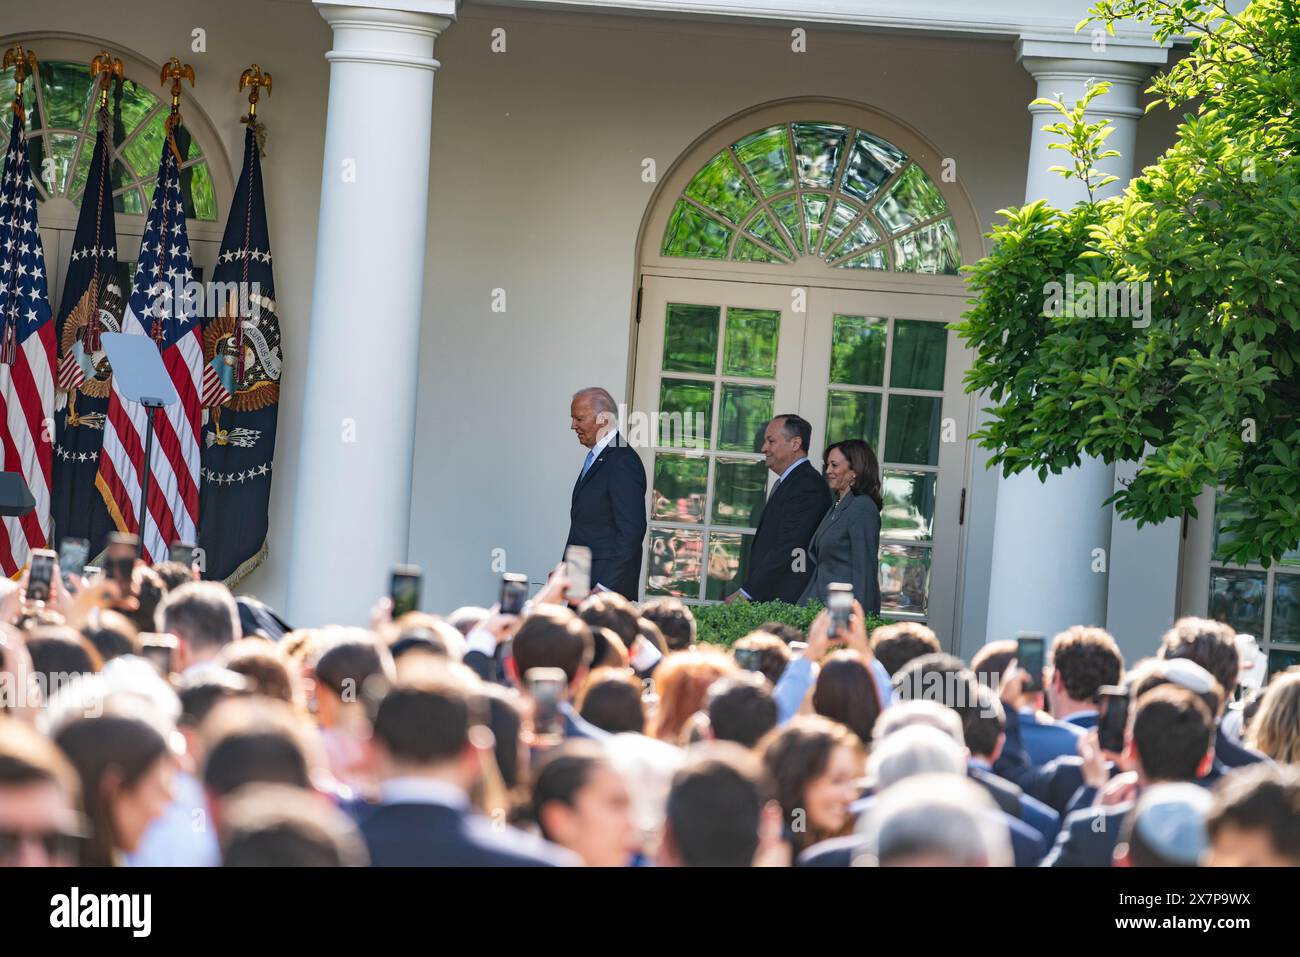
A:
241, 387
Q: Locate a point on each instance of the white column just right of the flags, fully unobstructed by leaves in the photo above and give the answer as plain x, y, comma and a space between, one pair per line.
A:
353, 499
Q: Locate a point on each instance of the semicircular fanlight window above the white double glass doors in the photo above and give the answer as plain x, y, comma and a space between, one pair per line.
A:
814, 189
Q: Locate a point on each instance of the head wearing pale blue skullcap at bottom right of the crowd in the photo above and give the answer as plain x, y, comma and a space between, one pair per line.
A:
1165, 829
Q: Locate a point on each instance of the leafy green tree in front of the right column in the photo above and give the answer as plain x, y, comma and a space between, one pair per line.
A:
1204, 388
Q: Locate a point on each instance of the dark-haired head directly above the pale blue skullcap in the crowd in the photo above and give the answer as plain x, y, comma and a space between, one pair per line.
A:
1172, 737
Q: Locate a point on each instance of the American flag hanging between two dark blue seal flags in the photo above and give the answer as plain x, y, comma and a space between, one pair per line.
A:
172, 322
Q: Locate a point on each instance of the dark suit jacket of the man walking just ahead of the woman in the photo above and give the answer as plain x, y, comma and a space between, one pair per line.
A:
790, 519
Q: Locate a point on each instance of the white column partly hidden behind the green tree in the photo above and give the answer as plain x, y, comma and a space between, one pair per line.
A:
1046, 535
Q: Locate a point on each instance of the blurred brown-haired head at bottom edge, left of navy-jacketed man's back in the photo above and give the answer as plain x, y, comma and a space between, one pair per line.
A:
276, 826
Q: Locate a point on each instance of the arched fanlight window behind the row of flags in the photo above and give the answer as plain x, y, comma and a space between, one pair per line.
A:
62, 124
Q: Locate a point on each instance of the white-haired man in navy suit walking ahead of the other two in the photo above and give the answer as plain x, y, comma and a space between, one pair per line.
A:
608, 513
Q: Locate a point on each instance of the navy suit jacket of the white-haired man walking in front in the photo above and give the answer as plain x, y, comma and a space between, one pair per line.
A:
608, 516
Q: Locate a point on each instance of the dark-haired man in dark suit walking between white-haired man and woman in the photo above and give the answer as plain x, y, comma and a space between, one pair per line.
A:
778, 558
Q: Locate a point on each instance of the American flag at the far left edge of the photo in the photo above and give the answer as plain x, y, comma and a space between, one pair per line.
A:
27, 356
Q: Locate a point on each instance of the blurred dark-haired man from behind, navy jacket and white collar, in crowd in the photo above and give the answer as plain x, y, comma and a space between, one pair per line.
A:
427, 767
